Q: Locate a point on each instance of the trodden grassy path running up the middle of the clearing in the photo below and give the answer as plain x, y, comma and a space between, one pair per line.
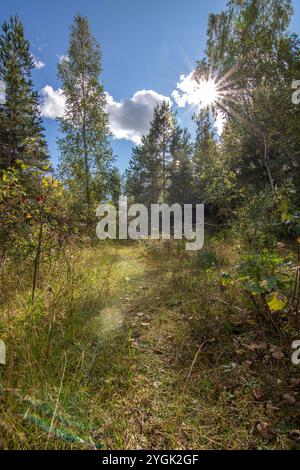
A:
148, 401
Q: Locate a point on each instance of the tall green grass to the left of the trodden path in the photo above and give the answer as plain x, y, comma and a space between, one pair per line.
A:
59, 347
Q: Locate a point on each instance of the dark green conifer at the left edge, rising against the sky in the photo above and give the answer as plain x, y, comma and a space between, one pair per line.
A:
22, 143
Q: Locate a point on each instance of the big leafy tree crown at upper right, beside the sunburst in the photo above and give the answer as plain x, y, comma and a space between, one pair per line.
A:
249, 45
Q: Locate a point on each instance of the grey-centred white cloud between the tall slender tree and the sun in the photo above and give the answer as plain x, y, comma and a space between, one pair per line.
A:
130, 118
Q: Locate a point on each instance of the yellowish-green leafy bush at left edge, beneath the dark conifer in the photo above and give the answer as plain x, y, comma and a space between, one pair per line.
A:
23, 213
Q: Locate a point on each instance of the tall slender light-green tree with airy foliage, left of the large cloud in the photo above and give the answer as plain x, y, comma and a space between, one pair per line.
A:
86, 154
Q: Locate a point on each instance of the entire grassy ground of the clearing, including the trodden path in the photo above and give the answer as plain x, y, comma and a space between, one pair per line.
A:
107, 356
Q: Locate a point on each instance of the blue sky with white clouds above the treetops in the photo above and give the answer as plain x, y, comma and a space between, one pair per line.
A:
147, 46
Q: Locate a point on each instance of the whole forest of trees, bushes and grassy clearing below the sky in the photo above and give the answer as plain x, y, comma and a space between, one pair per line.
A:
142, 344
